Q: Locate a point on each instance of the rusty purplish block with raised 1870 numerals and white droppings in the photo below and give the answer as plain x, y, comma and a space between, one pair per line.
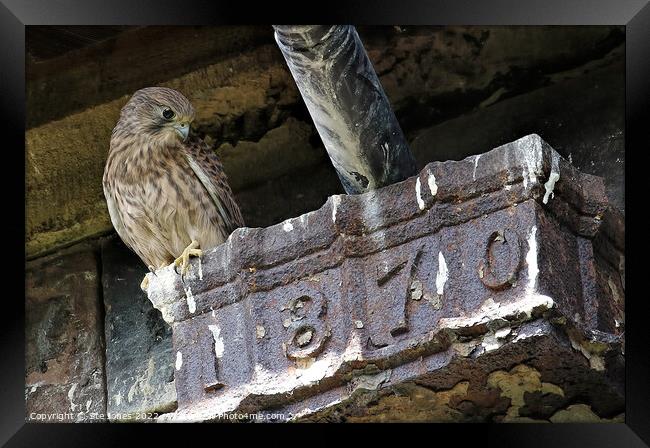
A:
486, 289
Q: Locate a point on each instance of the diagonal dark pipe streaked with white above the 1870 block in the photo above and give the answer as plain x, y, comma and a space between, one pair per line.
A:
348, 105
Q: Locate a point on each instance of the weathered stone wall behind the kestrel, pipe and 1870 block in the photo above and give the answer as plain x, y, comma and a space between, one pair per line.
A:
456, 91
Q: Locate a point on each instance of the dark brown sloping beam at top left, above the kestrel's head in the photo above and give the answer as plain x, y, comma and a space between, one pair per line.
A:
137, 58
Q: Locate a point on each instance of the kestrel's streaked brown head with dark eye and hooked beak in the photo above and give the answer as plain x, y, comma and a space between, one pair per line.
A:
161, 113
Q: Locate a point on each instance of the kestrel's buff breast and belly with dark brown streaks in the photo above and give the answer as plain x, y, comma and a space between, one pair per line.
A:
164, 206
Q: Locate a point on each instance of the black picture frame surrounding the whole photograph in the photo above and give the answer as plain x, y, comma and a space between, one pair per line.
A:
16, 14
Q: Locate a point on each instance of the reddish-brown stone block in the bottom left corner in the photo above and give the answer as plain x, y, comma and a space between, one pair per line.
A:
64, 350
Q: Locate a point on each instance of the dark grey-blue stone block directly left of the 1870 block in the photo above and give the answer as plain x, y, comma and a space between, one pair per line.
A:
139, 357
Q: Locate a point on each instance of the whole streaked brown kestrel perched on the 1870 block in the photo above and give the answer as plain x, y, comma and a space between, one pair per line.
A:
166, 191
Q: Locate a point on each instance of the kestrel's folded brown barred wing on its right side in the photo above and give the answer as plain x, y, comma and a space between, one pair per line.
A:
209, 170
